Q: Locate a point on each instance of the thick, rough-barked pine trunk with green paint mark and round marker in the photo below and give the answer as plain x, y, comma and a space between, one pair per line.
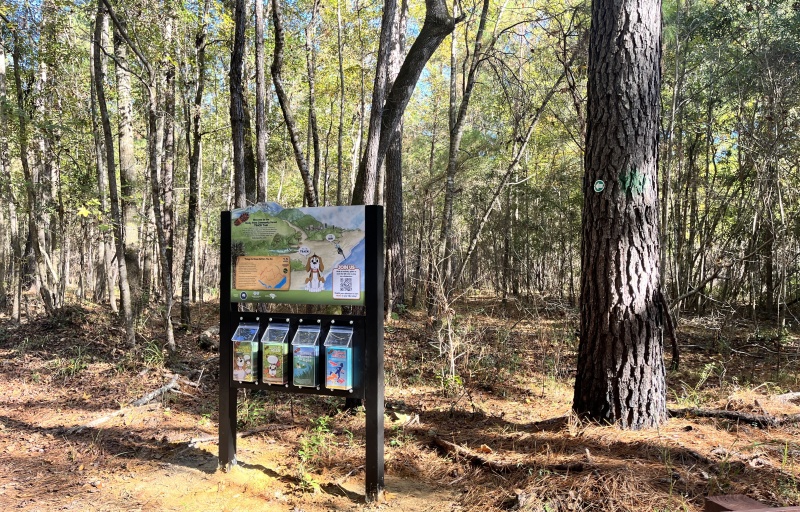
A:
620, 375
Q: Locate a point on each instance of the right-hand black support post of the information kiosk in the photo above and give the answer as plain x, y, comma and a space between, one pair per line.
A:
374, 353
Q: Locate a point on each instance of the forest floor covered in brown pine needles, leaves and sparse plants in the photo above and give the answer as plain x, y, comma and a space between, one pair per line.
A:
499, 436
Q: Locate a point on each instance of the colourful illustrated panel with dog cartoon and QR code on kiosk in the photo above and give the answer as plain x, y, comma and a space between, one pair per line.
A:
298, 255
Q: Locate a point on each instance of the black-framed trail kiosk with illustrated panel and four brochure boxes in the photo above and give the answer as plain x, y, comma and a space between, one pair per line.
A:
322, 256
